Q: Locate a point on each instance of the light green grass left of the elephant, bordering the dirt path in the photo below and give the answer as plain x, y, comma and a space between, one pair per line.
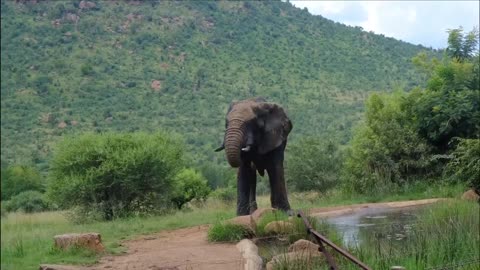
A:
27, 239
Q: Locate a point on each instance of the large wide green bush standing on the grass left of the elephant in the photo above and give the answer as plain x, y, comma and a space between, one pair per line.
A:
118, 173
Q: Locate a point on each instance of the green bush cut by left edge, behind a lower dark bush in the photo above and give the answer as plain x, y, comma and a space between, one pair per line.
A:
17, 179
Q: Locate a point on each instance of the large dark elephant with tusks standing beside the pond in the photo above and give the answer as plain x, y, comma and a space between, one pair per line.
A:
255, 138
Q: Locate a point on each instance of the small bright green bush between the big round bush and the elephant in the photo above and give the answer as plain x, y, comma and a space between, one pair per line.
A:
189, 185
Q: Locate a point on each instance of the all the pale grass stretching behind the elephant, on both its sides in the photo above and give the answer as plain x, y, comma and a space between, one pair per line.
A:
27, 239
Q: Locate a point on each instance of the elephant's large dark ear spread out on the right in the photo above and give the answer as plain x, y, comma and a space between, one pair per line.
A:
274, 124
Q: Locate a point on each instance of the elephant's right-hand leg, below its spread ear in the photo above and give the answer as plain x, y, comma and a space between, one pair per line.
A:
278, 189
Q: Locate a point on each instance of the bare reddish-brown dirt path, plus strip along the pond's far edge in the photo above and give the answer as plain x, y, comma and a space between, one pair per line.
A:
189, 249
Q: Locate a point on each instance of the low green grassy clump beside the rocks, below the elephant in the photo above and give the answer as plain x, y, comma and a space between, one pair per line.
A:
227, 233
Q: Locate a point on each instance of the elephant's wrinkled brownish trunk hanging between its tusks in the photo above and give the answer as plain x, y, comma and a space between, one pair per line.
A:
234, 138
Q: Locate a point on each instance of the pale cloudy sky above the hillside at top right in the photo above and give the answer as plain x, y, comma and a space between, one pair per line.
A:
417, 22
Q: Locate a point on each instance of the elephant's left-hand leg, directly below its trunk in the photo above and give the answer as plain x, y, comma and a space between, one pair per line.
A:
244, 180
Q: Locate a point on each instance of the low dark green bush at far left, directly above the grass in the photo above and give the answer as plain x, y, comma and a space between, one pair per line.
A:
27, 201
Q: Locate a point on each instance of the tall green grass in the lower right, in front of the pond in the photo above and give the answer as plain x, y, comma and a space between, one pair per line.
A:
447, 235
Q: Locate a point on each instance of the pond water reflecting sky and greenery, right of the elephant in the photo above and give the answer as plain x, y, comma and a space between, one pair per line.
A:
391, 225
